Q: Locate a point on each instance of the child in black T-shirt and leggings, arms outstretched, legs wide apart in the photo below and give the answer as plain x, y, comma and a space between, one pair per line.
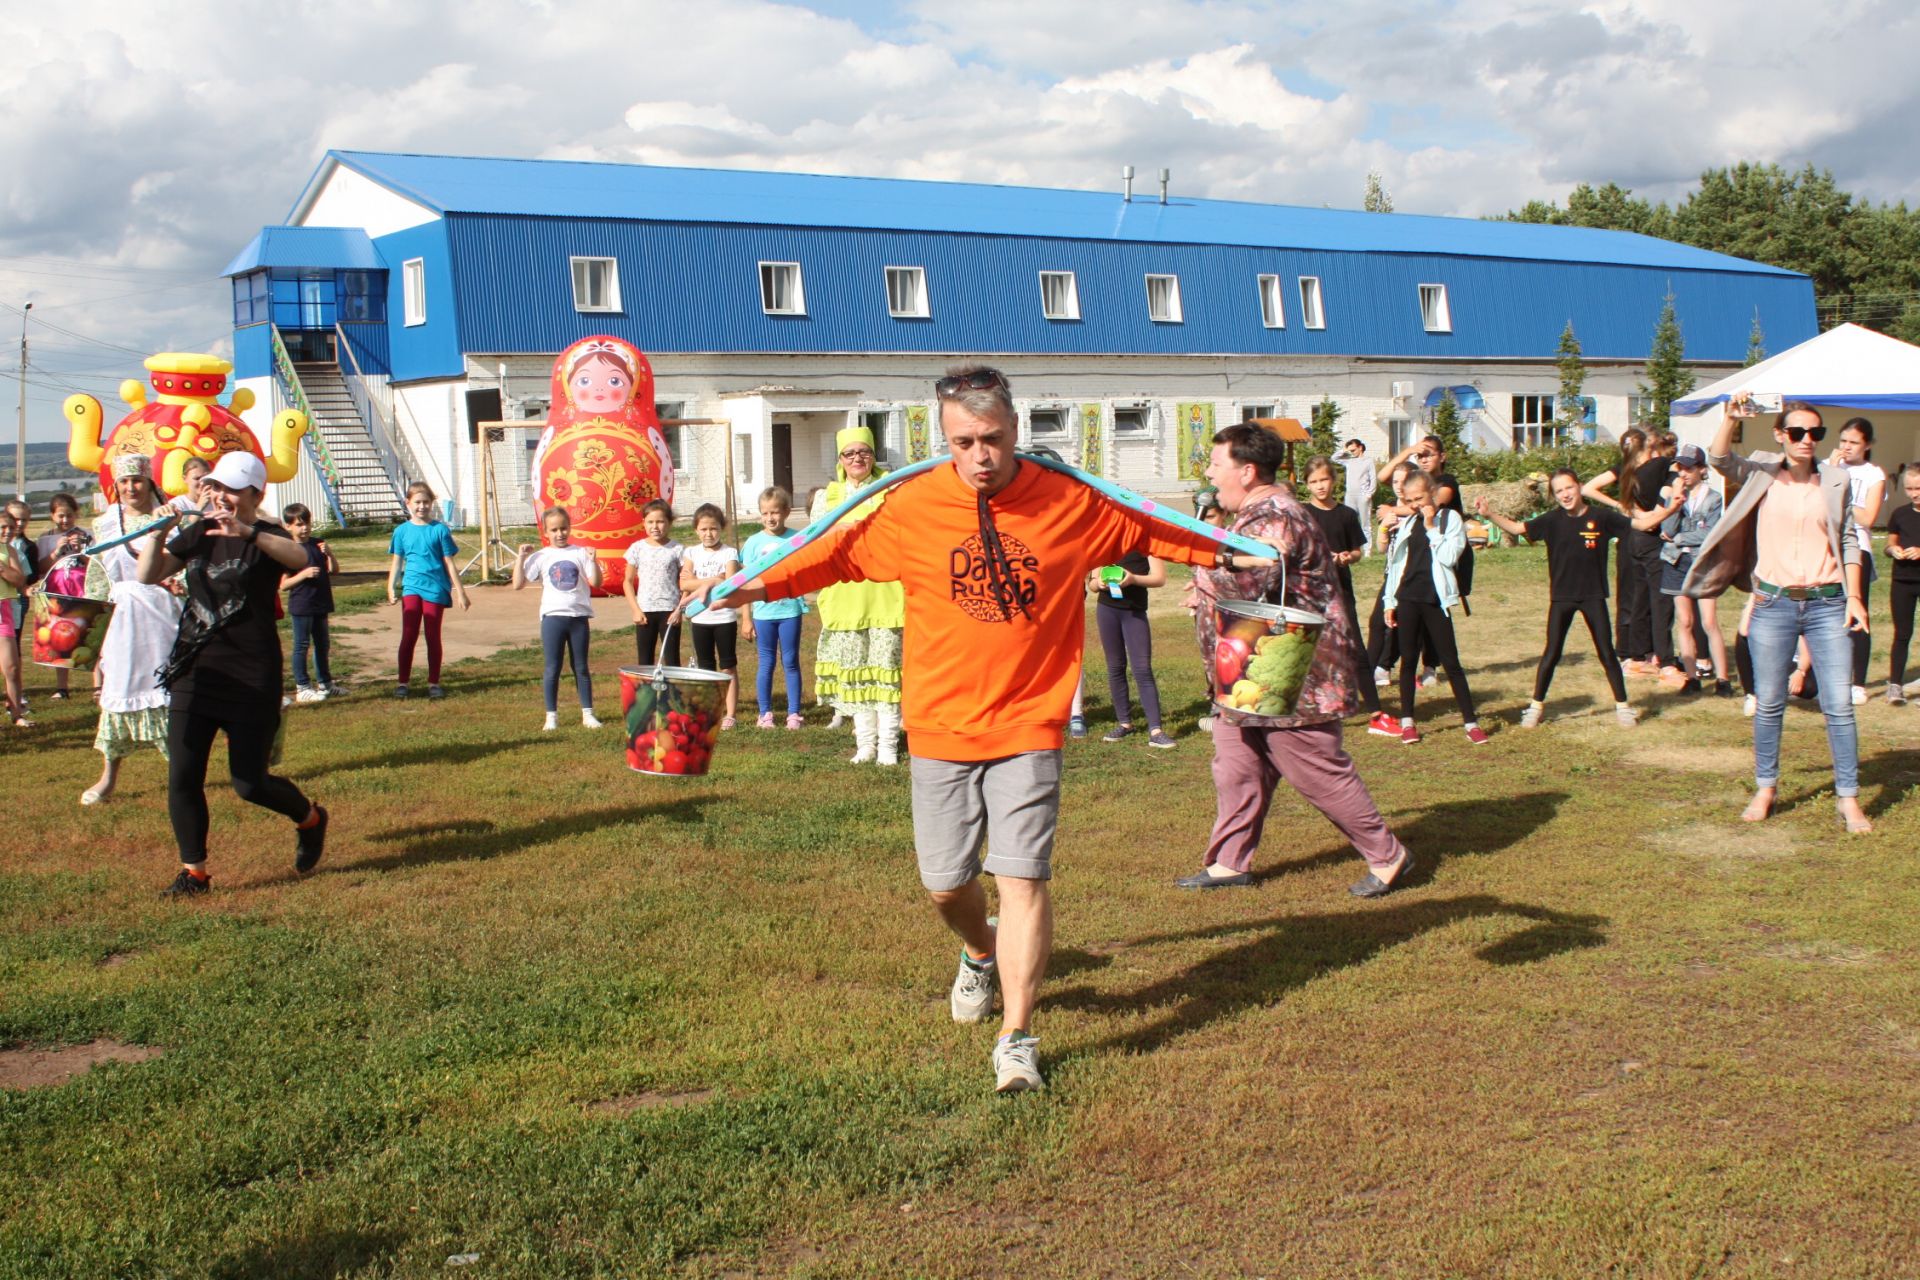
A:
1577, 538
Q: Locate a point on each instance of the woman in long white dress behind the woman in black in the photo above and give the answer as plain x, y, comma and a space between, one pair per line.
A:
133, 705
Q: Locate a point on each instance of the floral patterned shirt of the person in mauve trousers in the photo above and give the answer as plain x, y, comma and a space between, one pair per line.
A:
1312, 584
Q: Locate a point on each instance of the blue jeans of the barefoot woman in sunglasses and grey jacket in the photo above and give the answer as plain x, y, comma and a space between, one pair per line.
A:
1773, 636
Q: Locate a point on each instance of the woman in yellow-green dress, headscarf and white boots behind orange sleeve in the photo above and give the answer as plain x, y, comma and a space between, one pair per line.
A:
857, 667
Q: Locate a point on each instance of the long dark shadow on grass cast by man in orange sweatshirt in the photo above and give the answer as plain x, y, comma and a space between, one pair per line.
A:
1291, 951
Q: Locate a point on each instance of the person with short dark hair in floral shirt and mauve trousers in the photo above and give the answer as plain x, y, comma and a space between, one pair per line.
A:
1255, 753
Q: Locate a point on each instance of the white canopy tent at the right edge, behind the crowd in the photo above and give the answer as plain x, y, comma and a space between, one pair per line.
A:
1844, 373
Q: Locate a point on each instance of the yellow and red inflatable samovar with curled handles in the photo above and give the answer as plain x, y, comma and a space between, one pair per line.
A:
185, 421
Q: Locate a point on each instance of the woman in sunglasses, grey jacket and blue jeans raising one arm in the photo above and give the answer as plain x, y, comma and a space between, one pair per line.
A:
1788, 538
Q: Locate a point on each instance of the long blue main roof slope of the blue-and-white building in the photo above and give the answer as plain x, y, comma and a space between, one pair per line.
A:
804, 201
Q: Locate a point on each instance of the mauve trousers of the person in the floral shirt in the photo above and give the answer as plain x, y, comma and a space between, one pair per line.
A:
1251, 763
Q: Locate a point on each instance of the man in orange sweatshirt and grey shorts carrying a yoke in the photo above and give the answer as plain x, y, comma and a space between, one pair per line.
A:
994, 557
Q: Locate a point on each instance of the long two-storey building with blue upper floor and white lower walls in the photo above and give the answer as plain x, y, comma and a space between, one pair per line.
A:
786, 306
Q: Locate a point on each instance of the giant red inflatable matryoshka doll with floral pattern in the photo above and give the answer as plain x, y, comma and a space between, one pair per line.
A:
604, 456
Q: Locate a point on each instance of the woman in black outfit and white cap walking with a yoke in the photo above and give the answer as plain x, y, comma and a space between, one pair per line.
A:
226, 669
